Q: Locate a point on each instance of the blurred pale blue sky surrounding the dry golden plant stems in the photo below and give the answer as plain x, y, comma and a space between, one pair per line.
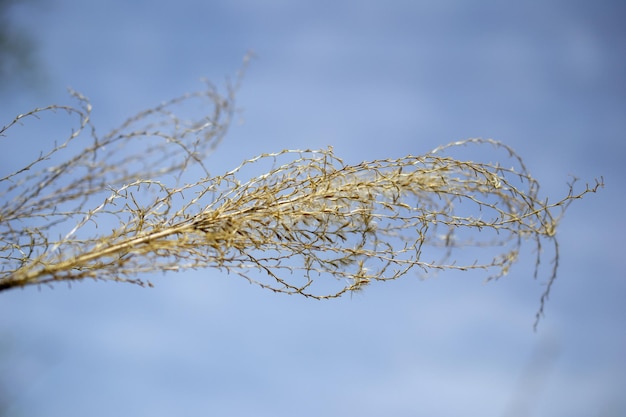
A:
374, 80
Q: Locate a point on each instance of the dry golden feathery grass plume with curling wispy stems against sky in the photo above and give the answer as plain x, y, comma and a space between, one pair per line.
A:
294, 221
